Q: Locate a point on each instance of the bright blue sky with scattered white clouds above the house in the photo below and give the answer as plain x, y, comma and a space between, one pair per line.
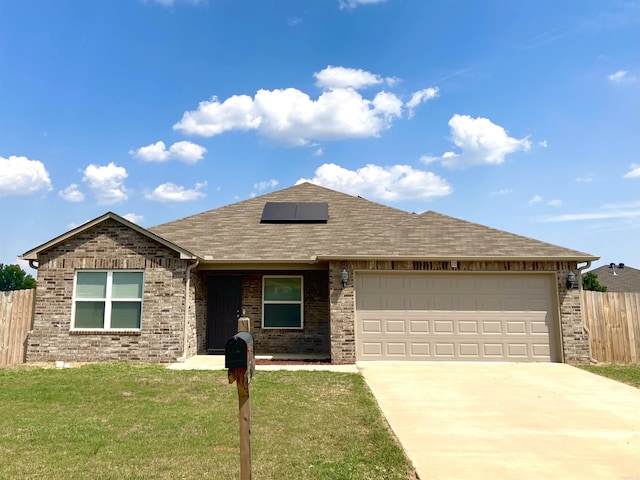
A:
523, 116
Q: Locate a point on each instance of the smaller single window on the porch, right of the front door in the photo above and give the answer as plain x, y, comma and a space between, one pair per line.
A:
282, 302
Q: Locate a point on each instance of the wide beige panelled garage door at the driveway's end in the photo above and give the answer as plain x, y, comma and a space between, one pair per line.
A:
456, 316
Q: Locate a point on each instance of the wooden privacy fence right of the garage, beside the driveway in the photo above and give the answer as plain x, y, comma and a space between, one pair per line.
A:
614, 322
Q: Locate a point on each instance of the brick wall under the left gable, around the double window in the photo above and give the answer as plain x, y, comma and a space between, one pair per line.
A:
109, 246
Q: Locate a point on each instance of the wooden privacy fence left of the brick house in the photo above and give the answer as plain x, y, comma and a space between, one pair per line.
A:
16, 318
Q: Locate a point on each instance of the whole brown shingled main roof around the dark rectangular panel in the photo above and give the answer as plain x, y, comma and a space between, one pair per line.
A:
356, 228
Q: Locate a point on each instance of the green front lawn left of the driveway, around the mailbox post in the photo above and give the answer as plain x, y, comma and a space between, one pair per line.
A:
114, 421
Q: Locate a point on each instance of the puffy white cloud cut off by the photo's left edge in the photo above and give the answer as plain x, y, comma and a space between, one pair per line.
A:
21, 176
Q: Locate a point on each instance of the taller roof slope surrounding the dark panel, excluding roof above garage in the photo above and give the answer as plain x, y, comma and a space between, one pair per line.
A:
235, 232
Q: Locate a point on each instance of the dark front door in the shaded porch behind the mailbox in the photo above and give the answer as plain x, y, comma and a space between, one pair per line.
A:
224, 309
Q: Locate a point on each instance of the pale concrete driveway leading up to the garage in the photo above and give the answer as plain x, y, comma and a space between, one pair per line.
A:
515, 420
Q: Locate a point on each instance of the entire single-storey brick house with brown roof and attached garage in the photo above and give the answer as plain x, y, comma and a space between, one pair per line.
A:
317, 272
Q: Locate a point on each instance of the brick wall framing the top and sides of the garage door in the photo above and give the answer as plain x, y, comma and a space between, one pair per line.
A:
574, 338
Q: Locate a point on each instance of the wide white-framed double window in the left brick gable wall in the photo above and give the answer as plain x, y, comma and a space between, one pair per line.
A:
107, 300
